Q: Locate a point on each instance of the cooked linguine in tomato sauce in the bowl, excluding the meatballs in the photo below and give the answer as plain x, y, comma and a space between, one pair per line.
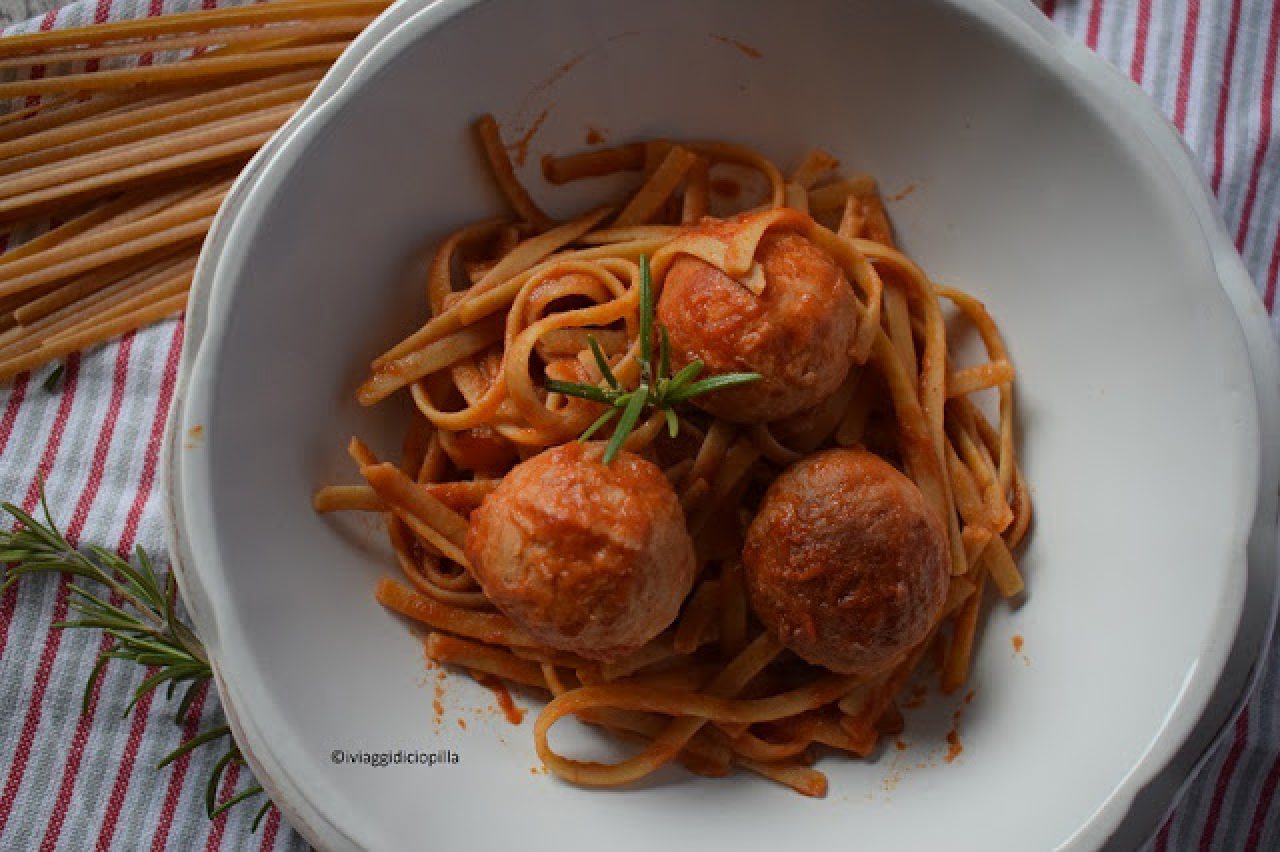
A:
518, 301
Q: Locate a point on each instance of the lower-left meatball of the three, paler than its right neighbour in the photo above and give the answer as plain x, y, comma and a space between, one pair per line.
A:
587, 557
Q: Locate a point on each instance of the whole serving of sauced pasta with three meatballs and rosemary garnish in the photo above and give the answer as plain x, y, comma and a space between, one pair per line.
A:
702, 465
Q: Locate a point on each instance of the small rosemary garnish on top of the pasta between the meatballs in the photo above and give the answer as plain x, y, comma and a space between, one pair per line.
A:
657, 390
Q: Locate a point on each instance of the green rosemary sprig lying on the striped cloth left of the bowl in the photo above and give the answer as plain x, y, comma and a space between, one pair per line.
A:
139, 615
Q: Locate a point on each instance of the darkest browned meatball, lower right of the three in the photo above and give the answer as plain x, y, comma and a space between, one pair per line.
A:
847, 564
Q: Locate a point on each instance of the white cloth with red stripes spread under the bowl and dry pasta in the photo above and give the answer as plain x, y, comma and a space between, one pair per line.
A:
71, 781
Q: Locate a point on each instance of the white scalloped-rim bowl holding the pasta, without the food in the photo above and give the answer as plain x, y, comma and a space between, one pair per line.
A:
1044, 185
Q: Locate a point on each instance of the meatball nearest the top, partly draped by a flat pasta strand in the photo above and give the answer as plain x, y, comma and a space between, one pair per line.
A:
797, 335
